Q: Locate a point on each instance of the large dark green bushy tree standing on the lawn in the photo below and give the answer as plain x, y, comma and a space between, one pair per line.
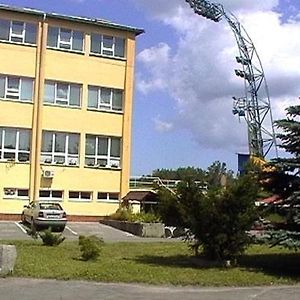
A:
220, 219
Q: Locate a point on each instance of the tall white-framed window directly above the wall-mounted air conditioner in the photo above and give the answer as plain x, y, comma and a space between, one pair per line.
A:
60, 148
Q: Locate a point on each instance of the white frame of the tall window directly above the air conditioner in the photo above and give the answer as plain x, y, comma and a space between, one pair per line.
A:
68, 157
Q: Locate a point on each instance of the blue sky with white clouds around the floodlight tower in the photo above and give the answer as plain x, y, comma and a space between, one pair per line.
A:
184, 77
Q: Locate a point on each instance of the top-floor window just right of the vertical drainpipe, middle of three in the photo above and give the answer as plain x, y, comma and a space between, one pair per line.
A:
65, 39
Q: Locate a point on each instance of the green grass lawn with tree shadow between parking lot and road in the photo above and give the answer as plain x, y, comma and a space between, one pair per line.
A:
155, 263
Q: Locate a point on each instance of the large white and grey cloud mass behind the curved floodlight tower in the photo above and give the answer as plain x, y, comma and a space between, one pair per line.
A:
198, 71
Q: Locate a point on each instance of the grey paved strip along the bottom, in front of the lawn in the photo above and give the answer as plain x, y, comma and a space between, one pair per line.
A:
41, 289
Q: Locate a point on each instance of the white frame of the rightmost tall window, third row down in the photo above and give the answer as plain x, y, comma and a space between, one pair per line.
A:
111, 161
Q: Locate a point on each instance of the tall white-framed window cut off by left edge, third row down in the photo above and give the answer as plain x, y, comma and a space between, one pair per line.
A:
14, 144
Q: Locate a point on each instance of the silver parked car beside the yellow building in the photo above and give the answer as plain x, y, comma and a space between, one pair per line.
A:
42, 215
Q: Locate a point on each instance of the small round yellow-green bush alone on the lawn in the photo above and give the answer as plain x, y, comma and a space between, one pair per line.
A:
90, 247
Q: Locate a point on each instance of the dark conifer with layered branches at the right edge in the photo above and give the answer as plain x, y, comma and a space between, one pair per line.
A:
285, 178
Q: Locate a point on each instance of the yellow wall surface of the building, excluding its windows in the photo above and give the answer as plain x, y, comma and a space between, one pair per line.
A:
51, 64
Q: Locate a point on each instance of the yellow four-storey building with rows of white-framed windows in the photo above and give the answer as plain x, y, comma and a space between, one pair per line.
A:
66, 88
